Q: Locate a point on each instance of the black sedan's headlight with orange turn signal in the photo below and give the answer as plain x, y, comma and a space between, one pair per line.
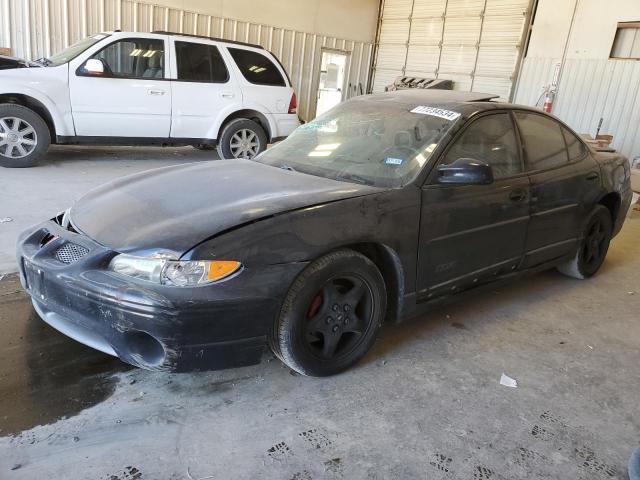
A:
177, 273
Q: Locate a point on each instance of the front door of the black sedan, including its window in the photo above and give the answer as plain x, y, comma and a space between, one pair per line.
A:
470, 234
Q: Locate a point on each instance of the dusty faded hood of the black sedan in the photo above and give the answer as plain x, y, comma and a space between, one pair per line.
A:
172, 209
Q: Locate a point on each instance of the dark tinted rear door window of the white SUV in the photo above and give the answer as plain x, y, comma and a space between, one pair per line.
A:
199, 62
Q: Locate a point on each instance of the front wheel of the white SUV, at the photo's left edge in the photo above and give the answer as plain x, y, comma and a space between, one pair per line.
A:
24, 136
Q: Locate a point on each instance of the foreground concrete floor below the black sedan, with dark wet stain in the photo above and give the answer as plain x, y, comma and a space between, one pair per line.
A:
425, 403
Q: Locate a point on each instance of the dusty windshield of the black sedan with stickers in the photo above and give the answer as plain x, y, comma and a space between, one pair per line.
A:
373, 141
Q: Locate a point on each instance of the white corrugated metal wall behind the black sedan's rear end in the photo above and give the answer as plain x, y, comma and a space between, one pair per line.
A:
590, 90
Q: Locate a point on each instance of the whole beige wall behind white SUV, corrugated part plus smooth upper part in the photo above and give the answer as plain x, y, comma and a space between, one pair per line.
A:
296, 32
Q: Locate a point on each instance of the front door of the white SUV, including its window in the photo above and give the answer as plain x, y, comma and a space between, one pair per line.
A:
131, 98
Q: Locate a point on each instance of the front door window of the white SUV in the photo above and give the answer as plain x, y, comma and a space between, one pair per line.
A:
133, 58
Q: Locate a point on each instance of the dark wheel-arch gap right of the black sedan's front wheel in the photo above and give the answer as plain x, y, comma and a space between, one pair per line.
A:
390, 266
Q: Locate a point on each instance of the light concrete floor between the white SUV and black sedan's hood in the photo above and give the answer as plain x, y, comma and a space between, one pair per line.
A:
31, 195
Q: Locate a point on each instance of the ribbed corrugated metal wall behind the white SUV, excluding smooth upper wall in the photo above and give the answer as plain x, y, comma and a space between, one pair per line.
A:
37, 28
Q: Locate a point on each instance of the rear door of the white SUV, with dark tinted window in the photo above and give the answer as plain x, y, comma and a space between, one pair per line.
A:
205, 90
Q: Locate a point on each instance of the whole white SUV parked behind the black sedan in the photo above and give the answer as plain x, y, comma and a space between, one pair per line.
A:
159, 88
